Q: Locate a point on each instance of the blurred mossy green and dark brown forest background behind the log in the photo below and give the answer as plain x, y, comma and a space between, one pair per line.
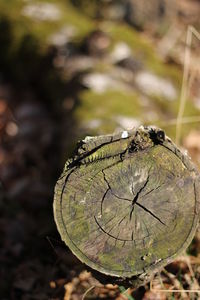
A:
70, 68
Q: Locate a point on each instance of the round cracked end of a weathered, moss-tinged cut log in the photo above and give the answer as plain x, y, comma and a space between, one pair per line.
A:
127, 204
